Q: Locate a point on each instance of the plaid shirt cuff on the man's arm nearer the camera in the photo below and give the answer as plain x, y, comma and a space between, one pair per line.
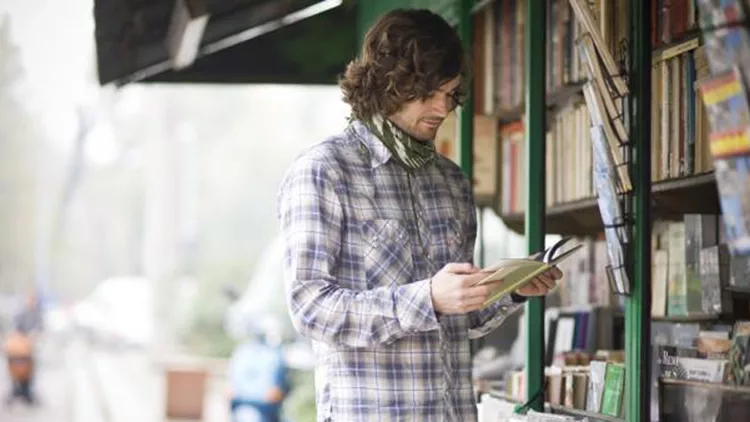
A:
413, 307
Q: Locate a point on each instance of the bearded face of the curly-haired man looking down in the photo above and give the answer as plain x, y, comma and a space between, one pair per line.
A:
422, 118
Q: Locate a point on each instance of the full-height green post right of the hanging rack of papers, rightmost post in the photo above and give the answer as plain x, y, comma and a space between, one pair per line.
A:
638, 305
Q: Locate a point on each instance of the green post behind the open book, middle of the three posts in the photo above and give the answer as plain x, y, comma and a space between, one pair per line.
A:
535, 201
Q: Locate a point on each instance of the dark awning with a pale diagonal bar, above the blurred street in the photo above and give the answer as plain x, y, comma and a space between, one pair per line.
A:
244, 41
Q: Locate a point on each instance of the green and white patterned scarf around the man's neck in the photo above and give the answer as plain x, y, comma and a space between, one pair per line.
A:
406, 150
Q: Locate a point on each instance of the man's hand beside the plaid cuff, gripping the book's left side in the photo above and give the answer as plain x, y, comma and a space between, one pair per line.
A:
454, 290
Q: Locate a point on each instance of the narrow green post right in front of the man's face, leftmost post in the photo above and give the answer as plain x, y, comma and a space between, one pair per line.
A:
466, 112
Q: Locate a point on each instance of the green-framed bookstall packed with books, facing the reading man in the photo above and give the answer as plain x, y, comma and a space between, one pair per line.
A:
624, 124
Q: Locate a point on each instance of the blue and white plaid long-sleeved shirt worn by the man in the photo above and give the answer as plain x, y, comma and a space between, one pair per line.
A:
363, 236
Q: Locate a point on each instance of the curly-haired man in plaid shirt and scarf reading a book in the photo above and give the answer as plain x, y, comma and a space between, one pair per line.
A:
380, 232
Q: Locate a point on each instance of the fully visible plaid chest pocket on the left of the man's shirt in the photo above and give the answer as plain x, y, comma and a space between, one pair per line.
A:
387, 252
